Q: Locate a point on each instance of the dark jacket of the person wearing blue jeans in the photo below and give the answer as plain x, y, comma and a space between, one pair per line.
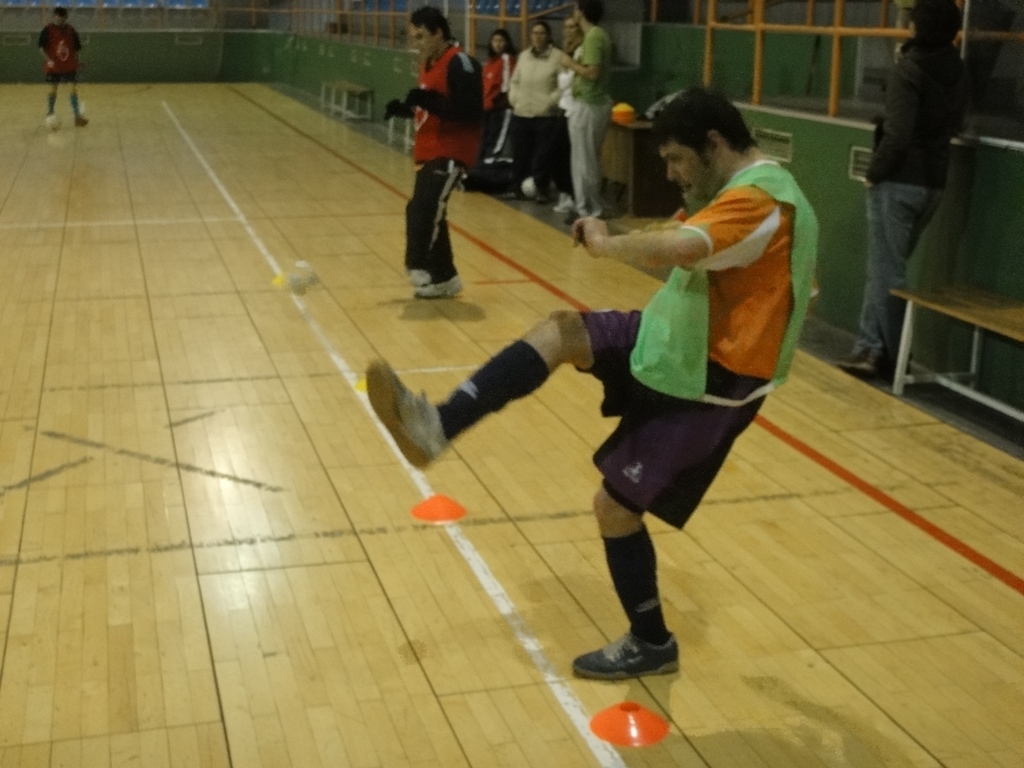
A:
926, 102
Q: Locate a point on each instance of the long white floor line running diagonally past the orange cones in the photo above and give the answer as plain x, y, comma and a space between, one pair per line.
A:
606, 754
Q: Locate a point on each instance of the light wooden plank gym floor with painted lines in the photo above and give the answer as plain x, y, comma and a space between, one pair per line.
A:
206, 551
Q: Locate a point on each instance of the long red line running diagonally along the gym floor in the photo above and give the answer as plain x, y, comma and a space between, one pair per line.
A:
990, 567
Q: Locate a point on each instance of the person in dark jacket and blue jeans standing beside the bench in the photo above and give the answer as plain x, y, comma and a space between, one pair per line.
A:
926, 103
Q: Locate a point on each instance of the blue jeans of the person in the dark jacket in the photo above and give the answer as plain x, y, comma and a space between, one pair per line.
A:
897, 217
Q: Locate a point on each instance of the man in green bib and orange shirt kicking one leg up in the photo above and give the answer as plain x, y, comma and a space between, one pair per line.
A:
687, 375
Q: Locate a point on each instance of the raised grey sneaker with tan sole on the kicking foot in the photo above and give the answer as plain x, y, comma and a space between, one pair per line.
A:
412, 419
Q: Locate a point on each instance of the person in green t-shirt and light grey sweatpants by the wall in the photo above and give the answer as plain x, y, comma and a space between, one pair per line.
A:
589, 120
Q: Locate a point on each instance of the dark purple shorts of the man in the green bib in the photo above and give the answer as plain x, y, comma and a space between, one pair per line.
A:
666, 452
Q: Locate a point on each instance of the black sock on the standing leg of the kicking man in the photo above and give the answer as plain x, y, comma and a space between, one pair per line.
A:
634, 572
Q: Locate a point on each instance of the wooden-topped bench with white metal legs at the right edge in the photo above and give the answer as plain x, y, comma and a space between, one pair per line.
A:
986, 312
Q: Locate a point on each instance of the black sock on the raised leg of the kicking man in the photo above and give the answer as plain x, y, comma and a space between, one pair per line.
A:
514, 373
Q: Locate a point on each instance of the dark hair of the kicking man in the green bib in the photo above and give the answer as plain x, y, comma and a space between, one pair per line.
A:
696, 112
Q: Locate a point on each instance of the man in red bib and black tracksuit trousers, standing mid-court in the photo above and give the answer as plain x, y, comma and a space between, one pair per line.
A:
448, 109
